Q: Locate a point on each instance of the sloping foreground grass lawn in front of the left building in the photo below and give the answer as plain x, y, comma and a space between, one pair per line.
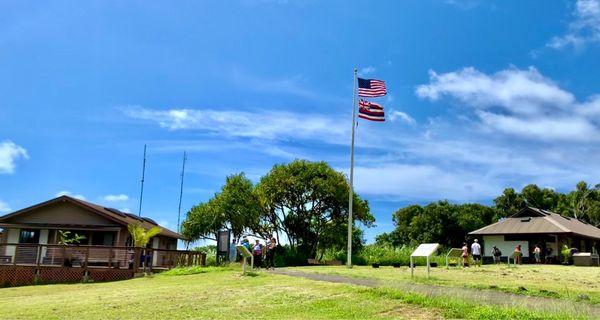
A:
222, 293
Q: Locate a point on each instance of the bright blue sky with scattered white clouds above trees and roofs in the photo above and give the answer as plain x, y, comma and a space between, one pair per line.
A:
483, 95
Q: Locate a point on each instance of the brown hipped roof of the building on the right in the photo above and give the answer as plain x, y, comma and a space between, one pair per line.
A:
532, 220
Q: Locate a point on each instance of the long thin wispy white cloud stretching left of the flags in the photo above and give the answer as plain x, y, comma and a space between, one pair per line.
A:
271, 125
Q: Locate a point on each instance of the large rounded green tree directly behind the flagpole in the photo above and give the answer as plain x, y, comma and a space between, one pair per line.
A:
307, 201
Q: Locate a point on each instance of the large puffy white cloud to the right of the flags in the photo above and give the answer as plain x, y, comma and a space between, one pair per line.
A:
519, 102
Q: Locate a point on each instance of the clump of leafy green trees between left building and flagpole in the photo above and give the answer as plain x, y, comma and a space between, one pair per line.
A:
307, 202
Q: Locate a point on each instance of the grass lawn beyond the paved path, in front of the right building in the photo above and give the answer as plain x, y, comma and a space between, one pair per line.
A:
564, 282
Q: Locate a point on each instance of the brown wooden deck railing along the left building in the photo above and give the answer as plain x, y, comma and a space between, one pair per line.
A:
86, 256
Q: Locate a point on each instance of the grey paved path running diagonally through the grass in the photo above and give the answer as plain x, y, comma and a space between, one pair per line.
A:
493, 297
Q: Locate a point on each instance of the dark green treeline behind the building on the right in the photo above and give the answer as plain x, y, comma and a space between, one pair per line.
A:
449, 224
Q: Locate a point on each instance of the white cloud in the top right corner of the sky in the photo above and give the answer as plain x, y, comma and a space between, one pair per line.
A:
584, 29
